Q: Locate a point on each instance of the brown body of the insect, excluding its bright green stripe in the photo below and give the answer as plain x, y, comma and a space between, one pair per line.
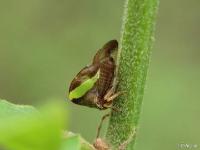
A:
104, 63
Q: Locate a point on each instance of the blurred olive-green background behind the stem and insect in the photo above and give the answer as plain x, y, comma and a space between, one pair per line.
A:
44, 43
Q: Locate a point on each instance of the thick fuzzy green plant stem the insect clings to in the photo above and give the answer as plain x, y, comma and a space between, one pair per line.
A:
133, 62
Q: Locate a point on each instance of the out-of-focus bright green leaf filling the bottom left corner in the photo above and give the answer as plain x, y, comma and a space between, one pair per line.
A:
24, 128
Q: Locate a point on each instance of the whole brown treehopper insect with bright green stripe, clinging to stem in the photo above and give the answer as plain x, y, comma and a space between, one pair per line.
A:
93, 85
